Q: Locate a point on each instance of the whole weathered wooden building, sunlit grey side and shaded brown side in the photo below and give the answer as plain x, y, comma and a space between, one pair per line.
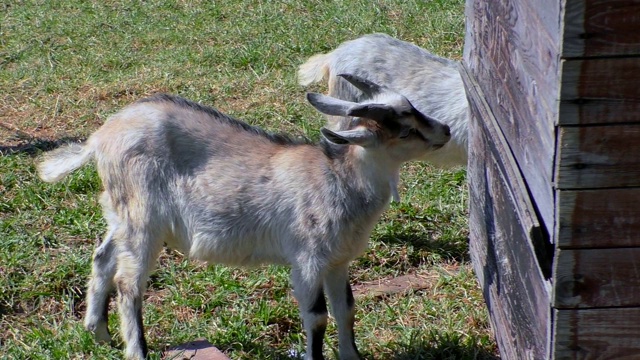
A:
554, 173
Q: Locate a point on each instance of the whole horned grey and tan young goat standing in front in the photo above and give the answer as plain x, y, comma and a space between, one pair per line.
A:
178, 173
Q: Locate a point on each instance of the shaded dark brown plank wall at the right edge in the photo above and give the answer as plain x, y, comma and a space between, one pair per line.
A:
597, 183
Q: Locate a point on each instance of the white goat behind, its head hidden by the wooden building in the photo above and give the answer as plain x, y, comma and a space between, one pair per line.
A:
431, 83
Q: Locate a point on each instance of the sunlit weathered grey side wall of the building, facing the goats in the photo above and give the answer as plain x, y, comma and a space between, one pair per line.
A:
511, 73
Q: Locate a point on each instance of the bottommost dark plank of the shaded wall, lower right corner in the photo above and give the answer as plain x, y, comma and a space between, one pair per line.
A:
597, 334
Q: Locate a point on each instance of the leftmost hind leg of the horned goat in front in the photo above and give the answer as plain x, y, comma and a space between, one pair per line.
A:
100, 288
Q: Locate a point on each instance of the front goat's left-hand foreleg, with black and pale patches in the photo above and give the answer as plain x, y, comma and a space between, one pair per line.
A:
313, 310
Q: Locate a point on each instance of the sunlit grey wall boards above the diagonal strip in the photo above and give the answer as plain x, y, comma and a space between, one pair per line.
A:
519, 71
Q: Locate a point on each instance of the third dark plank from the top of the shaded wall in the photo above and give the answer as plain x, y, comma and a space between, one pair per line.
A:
598, 157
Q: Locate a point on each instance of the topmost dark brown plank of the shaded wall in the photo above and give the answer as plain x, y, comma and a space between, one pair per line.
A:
601, 28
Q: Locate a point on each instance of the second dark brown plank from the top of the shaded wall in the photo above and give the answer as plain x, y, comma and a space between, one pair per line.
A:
600, 91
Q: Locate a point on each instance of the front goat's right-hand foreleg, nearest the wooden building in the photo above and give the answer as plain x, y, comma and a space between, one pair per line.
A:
336, 284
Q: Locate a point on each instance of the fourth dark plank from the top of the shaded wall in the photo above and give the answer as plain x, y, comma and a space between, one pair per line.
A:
598, 218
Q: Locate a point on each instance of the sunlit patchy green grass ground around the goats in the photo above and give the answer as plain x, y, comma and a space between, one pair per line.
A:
65, 66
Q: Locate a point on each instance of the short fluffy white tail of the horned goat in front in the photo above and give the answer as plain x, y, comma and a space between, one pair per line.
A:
62, 161
